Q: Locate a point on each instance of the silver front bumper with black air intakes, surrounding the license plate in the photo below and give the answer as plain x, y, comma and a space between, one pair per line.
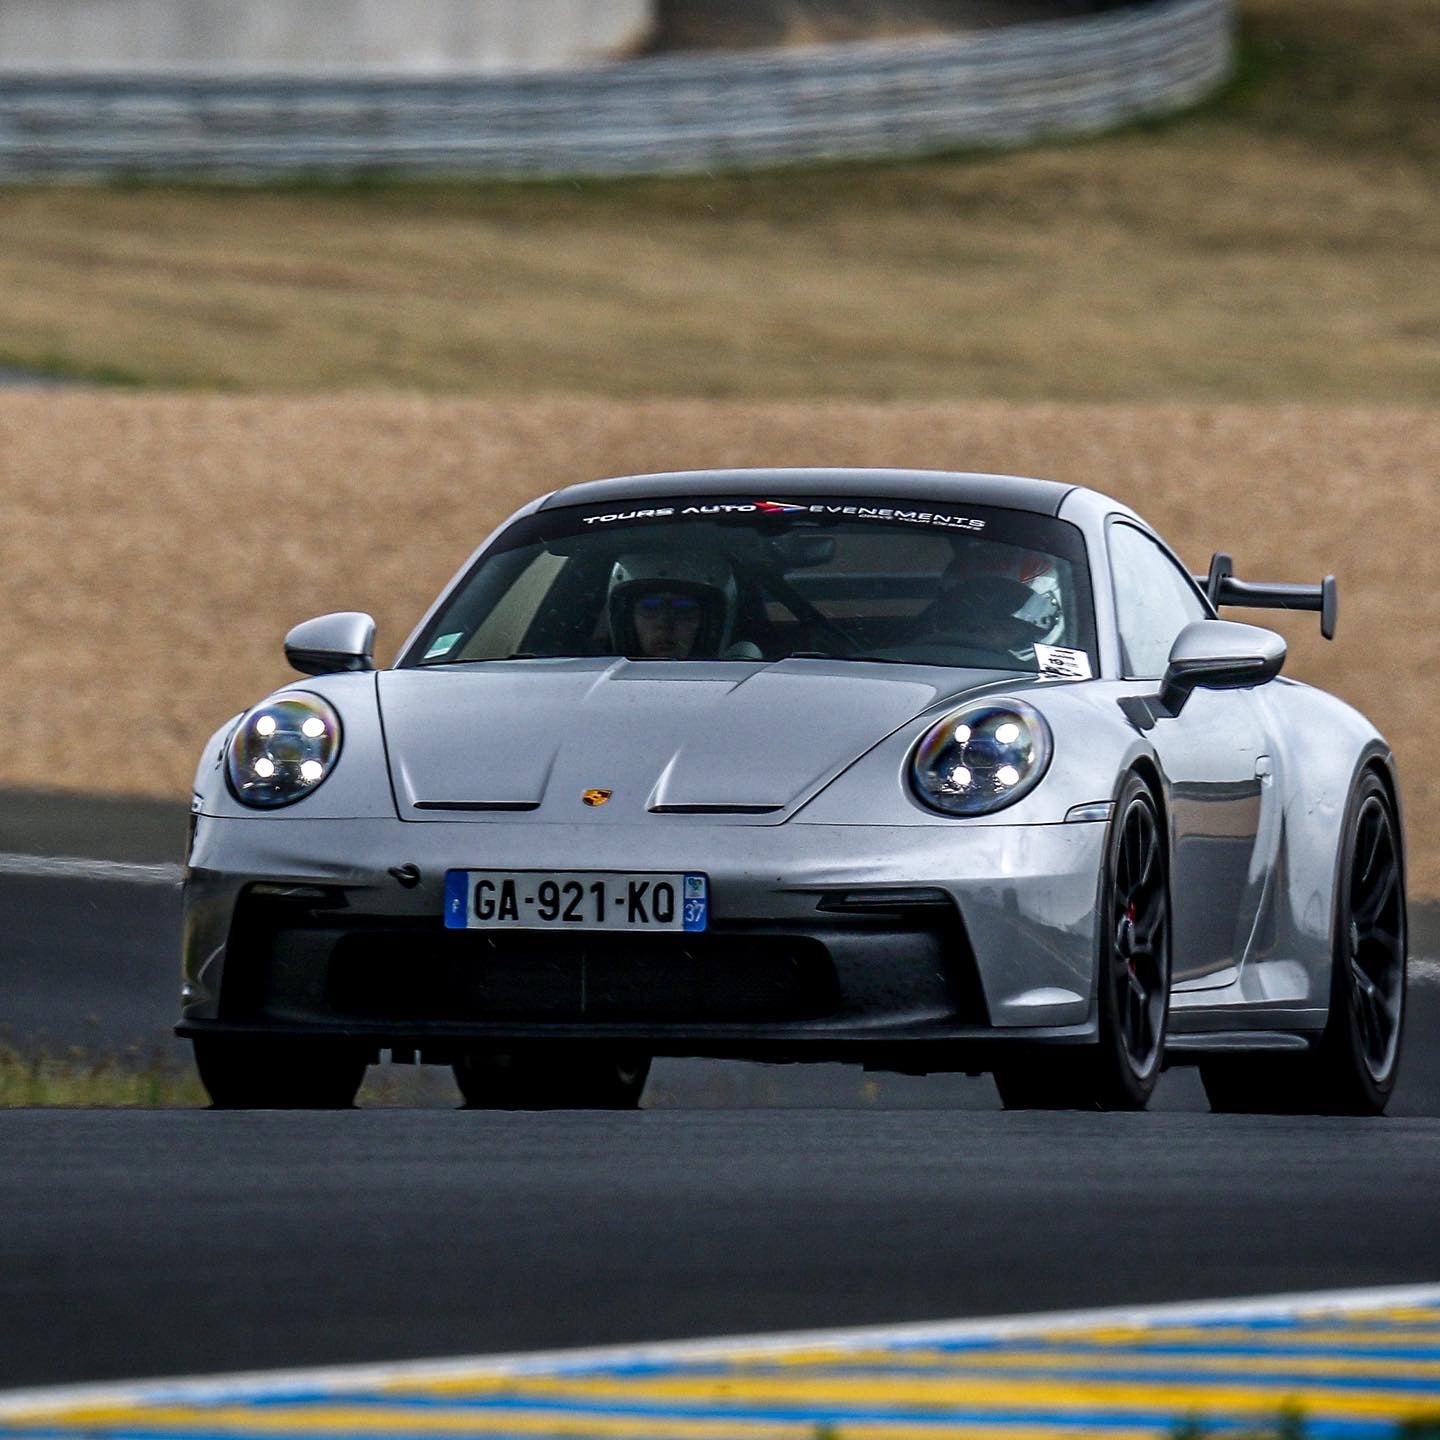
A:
886, 944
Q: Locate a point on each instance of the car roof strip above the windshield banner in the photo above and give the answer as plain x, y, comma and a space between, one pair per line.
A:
937, 486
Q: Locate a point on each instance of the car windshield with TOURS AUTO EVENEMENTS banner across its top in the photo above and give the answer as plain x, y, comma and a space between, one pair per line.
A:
748, 580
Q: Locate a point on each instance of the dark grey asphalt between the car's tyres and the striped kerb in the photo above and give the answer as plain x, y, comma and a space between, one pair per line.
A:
188, 1242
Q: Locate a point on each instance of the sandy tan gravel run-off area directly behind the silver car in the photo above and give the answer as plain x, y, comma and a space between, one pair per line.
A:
156, 549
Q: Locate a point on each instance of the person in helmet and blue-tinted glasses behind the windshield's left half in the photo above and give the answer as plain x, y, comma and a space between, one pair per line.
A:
672, 607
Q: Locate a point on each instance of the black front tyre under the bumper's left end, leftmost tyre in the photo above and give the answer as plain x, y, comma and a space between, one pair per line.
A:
264, 1074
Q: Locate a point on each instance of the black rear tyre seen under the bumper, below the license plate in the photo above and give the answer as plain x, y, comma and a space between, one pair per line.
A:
552, 1081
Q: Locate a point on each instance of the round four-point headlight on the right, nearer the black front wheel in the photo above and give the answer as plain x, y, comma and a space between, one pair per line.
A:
981, 758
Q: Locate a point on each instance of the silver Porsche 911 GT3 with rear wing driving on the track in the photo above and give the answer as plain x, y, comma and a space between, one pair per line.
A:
919, 771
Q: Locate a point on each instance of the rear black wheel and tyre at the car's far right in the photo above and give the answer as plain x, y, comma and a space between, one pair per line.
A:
1353, 1069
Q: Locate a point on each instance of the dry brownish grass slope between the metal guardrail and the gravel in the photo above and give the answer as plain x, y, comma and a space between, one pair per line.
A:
1281, 246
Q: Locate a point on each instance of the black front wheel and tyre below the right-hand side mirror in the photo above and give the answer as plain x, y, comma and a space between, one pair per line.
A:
1133, 986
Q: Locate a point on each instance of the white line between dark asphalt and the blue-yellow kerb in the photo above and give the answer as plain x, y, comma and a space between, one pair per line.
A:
351, 1379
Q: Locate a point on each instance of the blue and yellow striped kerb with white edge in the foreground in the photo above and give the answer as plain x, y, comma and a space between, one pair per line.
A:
1353, 1364
